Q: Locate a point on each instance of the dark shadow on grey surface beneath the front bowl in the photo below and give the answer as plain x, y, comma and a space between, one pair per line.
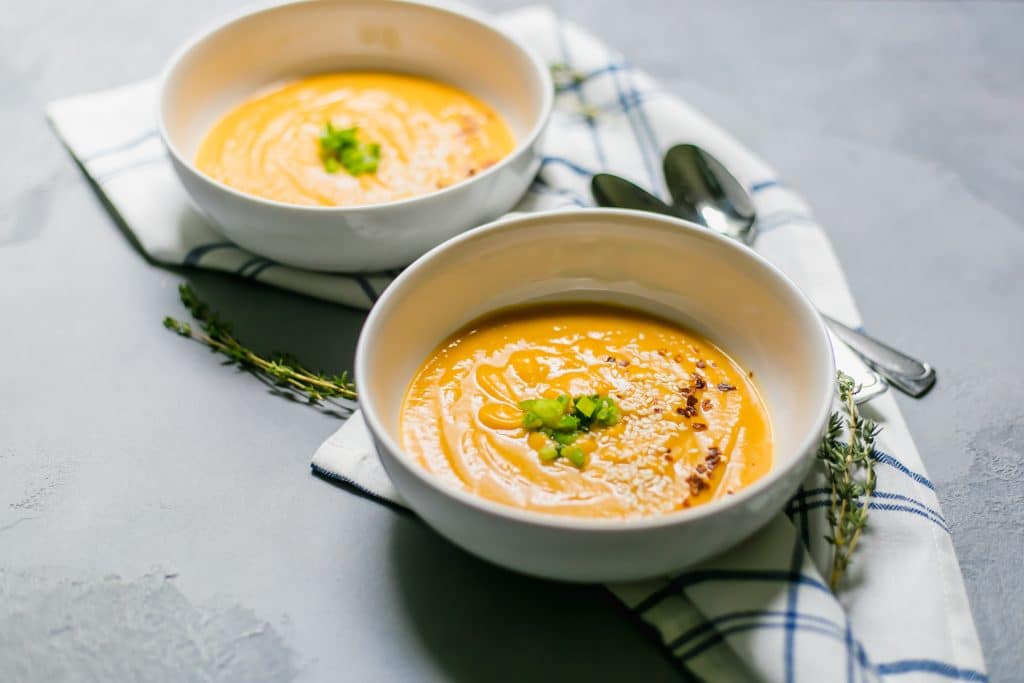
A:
482, 623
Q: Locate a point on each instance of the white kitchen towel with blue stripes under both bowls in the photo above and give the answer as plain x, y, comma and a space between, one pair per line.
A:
761, 612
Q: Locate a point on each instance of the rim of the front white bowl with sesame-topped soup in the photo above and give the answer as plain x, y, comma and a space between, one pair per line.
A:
775, 477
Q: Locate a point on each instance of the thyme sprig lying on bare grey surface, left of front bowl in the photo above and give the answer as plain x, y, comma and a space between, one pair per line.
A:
280, 369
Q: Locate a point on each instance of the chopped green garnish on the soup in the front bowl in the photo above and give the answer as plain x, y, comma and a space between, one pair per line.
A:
565, 419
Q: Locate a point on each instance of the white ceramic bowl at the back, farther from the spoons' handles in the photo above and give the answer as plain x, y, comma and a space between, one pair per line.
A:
229, 64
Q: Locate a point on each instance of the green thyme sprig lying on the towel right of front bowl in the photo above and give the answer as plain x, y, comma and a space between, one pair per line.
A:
850, 469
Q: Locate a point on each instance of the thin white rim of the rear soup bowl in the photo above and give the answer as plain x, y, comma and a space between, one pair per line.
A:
541, 119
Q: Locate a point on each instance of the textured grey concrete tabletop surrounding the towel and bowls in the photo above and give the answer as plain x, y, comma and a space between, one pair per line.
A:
157, 516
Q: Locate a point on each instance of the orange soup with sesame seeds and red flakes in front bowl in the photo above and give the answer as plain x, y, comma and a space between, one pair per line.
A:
588, 411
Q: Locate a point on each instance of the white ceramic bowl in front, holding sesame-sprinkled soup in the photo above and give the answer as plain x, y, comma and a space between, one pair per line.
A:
675, 270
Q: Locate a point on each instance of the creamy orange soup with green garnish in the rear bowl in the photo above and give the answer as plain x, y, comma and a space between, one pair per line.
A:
411, 136
